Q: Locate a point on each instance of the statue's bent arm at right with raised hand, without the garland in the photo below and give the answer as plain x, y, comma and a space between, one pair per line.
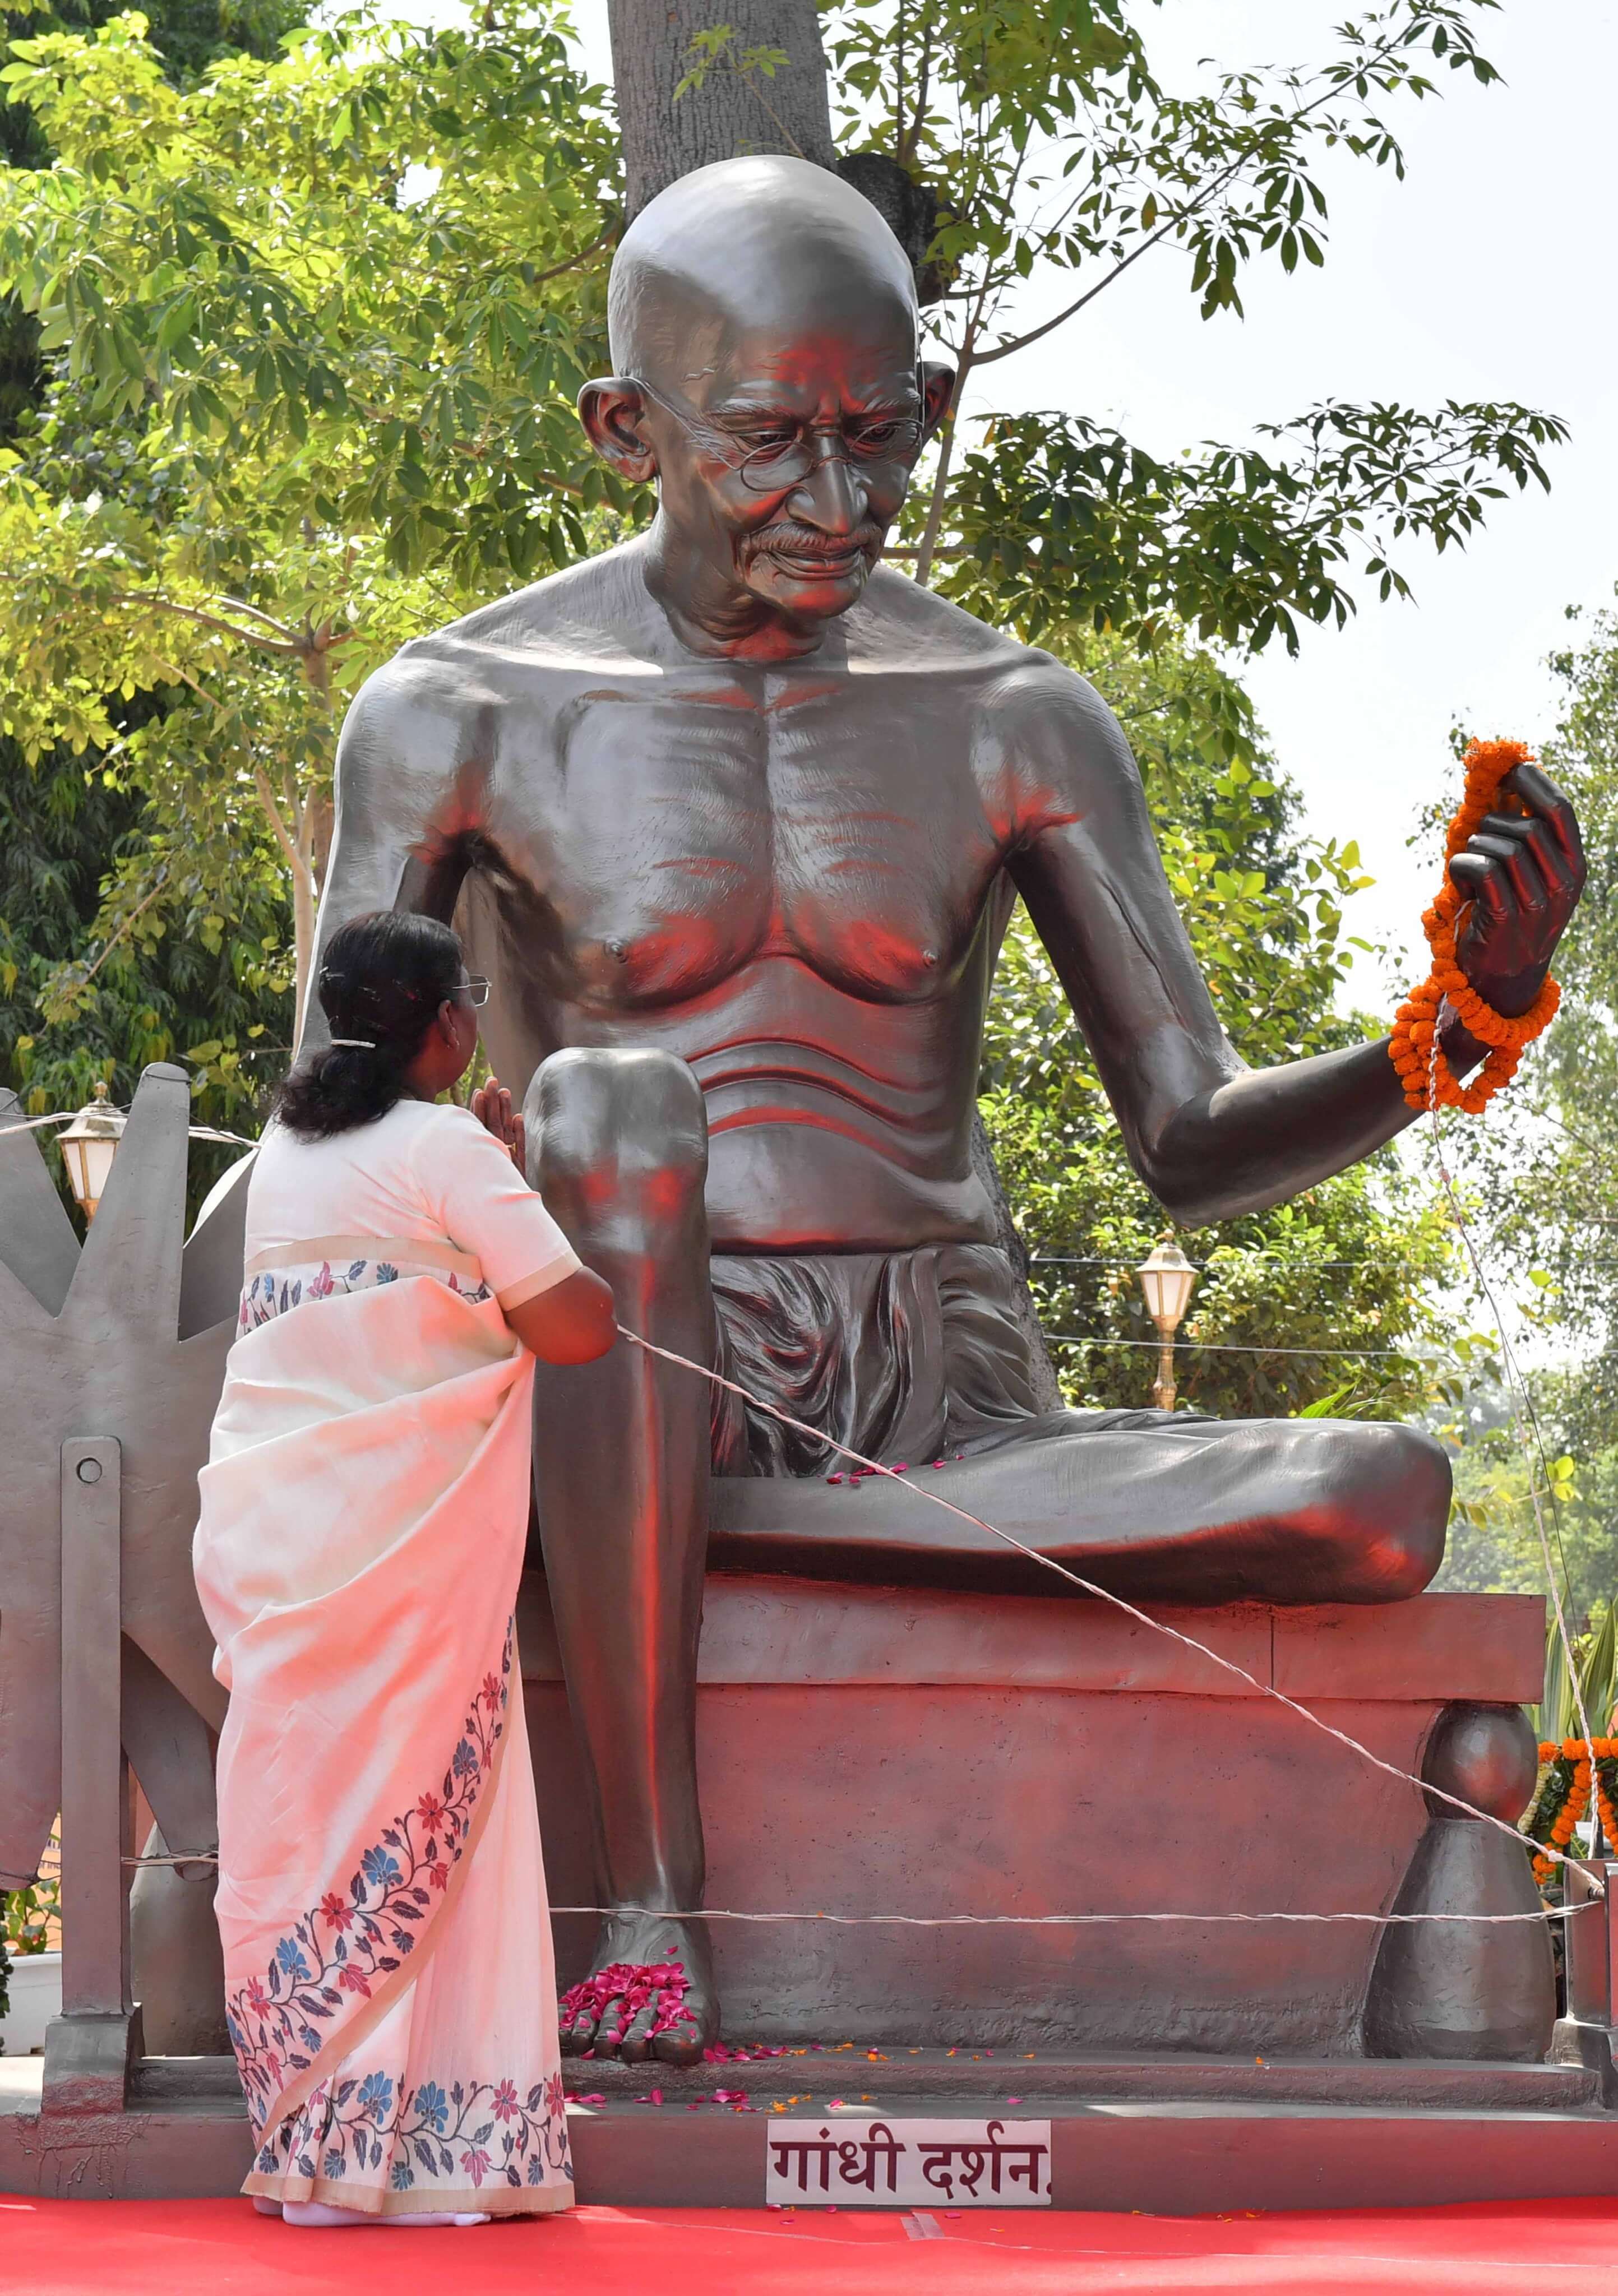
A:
1211, 1135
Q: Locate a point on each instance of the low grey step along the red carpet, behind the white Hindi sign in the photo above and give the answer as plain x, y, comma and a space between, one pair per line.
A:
1160, 2155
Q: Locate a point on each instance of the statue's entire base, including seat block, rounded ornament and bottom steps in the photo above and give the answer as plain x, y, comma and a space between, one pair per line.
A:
935, 1755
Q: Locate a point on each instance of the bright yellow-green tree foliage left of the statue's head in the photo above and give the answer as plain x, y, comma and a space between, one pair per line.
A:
316, 329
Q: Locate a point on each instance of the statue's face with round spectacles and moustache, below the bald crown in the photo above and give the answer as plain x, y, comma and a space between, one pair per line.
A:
784, 447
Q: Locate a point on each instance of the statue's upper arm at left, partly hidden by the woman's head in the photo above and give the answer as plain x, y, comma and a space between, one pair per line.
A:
405, 805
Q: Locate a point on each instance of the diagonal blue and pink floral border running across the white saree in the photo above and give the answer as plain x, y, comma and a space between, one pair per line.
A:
352, 1944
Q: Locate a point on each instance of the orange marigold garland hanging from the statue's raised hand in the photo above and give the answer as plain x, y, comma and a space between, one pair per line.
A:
1424, 1071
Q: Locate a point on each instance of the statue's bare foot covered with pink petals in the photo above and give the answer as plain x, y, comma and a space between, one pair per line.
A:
651, 1994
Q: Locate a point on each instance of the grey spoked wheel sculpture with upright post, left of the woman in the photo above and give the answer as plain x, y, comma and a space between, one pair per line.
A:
111, 1356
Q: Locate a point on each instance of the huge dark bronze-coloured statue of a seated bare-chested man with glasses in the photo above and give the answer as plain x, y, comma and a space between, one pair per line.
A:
736, 819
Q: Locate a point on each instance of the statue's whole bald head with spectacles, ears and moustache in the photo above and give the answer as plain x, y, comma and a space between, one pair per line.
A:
765, 343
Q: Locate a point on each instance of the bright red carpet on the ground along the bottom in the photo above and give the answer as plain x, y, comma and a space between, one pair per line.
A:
221, 2249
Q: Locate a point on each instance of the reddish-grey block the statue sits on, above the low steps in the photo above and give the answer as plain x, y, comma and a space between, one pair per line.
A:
869, 1751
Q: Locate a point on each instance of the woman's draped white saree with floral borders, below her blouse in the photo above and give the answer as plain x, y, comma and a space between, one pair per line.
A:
382, 1900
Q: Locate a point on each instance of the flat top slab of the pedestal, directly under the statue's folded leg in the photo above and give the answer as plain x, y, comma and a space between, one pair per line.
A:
1431, 1650
